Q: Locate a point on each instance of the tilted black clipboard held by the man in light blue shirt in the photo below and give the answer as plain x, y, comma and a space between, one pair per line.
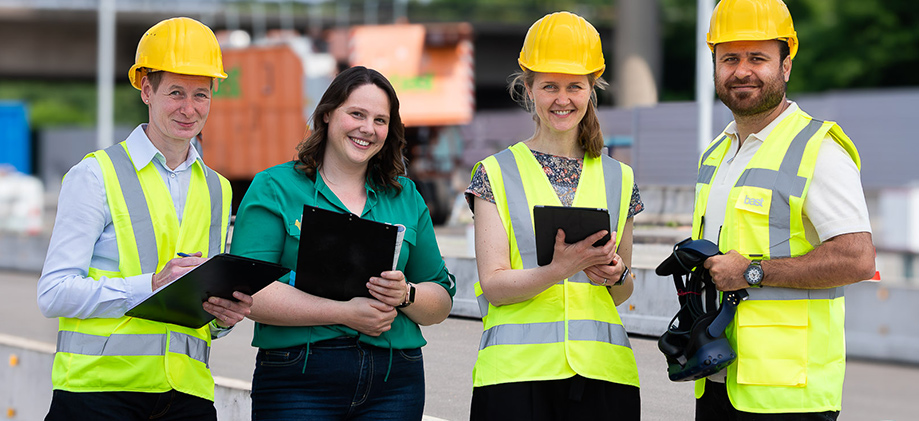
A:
179, 302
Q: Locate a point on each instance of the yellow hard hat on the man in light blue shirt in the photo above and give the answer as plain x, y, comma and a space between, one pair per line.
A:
178, 45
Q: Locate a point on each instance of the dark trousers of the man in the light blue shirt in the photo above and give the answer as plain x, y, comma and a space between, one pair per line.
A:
129, 406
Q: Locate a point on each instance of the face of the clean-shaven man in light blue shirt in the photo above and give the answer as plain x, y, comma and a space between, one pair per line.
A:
178, 108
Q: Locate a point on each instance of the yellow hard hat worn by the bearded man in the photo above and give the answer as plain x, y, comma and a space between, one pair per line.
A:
752, 20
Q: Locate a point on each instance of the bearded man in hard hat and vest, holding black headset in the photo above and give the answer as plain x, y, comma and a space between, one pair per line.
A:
780, 193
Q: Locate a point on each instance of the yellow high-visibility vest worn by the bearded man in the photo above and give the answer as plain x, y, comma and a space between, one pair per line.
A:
790, 343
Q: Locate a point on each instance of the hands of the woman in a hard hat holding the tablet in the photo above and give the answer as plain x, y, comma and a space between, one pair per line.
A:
569, 259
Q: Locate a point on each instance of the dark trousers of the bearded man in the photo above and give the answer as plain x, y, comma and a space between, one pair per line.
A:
714, 405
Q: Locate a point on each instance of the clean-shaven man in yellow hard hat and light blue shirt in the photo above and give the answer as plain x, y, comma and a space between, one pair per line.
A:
124, 214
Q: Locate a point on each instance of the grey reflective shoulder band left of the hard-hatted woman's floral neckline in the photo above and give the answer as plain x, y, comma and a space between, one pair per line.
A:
518, 208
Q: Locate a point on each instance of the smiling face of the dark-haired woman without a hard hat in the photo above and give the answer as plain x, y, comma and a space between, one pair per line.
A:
358, 127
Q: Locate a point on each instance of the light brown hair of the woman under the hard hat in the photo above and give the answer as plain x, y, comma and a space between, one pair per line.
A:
589, 135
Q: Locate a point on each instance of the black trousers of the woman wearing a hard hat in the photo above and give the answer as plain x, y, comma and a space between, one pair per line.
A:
576, 398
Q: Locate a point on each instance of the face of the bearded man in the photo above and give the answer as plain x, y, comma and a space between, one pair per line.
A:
749, 77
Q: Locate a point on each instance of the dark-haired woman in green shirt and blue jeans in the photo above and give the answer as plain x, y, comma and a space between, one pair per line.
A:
325, 359
